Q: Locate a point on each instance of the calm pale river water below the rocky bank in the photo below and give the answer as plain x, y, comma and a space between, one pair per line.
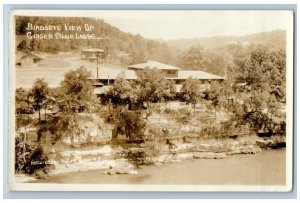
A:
267, 168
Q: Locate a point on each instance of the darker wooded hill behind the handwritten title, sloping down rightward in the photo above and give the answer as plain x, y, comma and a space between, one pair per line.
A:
138, 48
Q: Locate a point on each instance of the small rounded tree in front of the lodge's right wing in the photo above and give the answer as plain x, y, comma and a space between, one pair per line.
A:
190, 91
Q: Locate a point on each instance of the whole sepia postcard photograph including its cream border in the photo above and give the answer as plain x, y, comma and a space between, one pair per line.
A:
151, 100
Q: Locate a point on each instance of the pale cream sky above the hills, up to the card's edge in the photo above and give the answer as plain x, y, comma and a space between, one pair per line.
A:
169, 25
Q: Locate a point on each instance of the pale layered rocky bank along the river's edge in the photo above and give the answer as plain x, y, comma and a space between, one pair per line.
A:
112, 159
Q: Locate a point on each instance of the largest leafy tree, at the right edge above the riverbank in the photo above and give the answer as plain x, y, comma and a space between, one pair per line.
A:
259, 81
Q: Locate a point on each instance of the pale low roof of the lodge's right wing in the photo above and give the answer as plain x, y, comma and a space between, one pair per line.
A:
197, 74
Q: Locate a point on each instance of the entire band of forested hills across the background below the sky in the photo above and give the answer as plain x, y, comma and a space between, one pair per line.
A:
211, 54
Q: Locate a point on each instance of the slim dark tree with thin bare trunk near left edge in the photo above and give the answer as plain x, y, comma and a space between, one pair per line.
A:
39, 93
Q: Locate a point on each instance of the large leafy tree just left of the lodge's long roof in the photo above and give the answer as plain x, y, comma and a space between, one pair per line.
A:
74, 96
